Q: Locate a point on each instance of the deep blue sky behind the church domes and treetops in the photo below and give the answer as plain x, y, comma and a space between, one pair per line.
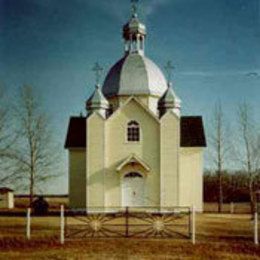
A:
53, 44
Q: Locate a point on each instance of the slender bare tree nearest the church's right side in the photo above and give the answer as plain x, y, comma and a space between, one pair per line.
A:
219, 147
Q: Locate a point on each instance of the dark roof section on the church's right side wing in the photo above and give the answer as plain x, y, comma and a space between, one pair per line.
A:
192, 132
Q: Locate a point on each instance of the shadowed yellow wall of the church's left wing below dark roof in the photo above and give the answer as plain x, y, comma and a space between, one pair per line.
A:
77, 178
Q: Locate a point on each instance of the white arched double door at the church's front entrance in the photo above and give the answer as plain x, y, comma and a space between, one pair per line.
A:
133, 190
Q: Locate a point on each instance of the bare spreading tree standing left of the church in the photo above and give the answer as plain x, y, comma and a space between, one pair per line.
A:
33, 153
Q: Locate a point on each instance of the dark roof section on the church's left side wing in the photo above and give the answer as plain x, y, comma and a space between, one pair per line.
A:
76, 134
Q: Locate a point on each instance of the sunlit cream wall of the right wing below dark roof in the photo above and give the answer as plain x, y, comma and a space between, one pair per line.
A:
191, 177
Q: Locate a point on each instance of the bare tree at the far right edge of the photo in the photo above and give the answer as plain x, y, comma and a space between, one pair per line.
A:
248, 152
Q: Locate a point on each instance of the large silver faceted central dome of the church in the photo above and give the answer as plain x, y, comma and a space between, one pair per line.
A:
134, 75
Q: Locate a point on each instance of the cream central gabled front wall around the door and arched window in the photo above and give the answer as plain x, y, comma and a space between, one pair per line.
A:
118, 149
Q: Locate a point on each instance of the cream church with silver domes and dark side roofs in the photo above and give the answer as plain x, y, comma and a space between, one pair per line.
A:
134, 148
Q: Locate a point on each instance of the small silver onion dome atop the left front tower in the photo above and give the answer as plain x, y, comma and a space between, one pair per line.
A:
97, 102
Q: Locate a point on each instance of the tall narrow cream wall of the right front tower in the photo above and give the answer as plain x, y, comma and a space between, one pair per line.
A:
170, 139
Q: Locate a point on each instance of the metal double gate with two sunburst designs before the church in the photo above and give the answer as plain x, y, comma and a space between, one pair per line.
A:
128, 222
